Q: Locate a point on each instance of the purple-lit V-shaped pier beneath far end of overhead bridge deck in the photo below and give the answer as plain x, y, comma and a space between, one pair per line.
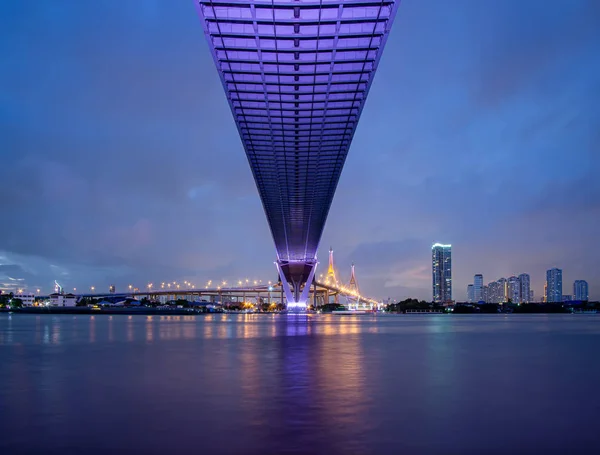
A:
296, 273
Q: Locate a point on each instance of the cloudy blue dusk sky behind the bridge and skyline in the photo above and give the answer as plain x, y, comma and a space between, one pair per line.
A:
121, 163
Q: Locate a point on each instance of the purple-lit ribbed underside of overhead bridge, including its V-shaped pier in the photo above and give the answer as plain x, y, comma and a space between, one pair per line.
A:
296, 74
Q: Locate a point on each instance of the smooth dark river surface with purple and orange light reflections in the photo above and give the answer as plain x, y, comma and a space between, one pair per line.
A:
225, 383
